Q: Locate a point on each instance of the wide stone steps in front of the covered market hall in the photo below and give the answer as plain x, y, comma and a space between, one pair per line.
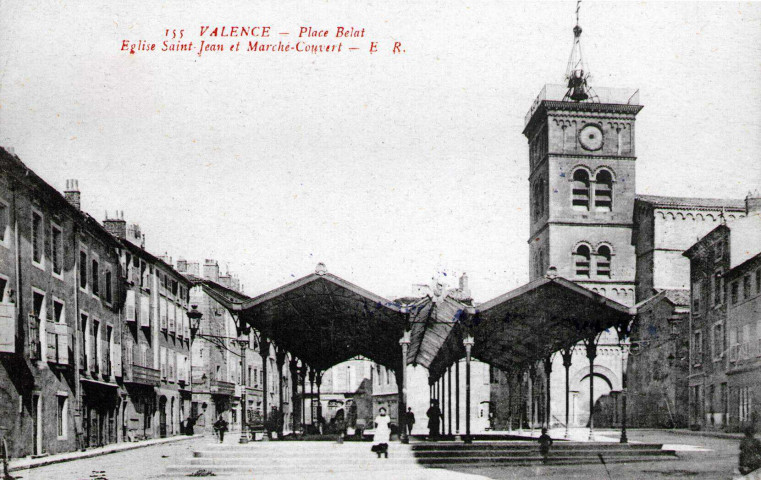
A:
304, 458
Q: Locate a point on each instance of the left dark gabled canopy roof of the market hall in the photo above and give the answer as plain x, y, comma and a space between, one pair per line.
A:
323, 320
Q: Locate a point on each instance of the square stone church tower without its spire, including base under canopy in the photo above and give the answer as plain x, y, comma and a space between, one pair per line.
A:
582, 181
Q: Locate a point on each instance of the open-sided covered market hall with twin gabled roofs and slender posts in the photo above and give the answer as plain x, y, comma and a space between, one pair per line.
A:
322, 320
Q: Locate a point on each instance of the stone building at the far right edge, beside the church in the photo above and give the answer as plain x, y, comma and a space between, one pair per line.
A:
723, 371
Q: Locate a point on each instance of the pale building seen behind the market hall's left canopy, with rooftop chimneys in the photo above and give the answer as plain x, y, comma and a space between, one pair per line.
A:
220, 377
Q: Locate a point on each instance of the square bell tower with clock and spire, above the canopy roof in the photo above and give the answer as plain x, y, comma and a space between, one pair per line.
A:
582, 177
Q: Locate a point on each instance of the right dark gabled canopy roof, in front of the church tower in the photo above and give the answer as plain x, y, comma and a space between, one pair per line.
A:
529, 323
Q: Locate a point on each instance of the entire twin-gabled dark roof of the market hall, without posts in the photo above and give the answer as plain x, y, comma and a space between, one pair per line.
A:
324, 320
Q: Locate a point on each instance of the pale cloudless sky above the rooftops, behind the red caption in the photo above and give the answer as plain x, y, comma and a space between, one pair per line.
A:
392, 169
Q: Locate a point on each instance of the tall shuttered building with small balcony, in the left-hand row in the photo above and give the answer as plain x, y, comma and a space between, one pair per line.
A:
156, 340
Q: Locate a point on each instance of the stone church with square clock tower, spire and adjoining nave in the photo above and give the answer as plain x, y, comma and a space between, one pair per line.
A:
589, 225
